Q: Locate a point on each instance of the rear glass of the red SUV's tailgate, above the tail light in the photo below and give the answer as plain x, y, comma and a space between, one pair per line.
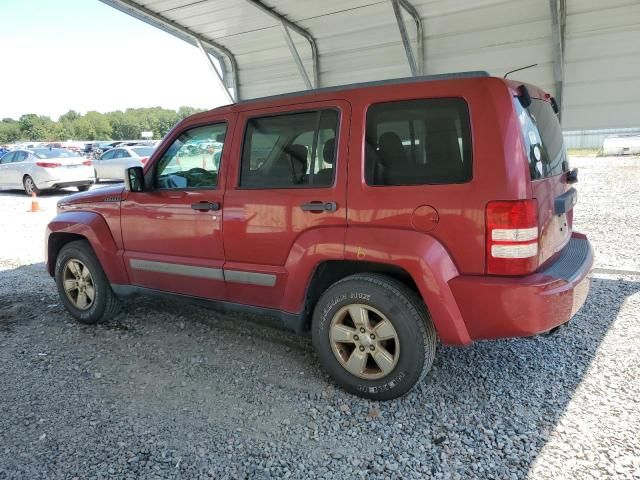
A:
543, 139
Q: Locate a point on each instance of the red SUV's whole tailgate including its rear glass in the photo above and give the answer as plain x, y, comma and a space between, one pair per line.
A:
548, 167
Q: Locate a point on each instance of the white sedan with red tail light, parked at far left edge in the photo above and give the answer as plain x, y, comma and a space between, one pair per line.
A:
45, 168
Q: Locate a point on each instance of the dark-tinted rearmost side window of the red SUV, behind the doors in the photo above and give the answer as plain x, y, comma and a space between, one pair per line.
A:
418, 142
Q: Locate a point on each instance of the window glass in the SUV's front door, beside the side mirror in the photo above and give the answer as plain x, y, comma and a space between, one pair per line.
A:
193, 160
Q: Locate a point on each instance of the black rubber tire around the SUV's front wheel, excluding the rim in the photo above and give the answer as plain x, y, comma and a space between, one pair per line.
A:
105, 304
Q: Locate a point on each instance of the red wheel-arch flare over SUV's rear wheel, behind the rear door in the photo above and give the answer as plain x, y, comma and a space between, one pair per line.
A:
428, 263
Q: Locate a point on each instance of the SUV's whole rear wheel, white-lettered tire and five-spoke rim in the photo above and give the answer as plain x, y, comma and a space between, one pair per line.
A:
374, 336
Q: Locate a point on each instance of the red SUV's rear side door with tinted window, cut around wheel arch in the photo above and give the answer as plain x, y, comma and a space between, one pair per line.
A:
286, 196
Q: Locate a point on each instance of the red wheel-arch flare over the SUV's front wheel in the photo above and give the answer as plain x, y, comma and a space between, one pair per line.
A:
94, 228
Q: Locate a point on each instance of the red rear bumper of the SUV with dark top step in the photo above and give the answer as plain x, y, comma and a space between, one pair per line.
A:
498, 307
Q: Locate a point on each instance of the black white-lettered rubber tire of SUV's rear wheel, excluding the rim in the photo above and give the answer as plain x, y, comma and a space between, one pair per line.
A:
403, 308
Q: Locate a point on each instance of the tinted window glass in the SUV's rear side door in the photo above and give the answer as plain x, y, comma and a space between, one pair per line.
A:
290, 151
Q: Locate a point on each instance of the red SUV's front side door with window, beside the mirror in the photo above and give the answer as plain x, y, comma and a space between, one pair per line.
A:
172, 232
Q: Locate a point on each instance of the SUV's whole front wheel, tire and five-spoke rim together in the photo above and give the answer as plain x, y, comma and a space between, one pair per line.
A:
82, 285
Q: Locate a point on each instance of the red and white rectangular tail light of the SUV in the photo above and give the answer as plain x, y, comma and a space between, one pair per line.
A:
512, 237
